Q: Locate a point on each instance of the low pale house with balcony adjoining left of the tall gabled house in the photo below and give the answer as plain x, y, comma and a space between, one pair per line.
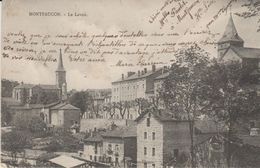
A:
116, 147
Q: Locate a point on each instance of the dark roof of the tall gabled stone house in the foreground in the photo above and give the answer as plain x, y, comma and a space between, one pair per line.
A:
161, 115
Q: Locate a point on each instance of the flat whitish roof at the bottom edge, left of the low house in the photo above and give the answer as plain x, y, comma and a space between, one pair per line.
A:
67, 161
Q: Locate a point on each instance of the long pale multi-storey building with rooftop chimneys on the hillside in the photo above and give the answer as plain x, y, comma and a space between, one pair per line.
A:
135, 85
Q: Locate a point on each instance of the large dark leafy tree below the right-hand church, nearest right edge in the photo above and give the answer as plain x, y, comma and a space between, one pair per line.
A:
231, 97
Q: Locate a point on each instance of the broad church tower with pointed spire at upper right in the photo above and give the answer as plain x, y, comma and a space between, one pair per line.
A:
229, 38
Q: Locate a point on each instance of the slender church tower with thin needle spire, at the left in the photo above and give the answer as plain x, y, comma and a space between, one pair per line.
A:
61, 78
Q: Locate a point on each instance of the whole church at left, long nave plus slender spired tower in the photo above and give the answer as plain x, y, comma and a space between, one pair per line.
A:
25, 93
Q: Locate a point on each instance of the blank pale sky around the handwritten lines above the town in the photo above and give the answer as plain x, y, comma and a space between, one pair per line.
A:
106, 16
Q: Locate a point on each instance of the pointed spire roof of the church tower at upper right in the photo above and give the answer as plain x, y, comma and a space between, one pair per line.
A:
230, 33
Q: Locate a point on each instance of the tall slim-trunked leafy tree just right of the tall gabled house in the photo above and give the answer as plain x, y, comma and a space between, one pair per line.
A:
182, 91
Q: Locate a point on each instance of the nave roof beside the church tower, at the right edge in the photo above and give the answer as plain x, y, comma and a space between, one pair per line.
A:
245, 52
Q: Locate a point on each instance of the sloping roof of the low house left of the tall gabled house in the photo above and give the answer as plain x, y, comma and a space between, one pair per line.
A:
121, 132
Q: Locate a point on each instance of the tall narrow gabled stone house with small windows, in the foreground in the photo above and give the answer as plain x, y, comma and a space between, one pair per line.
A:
160, 139
